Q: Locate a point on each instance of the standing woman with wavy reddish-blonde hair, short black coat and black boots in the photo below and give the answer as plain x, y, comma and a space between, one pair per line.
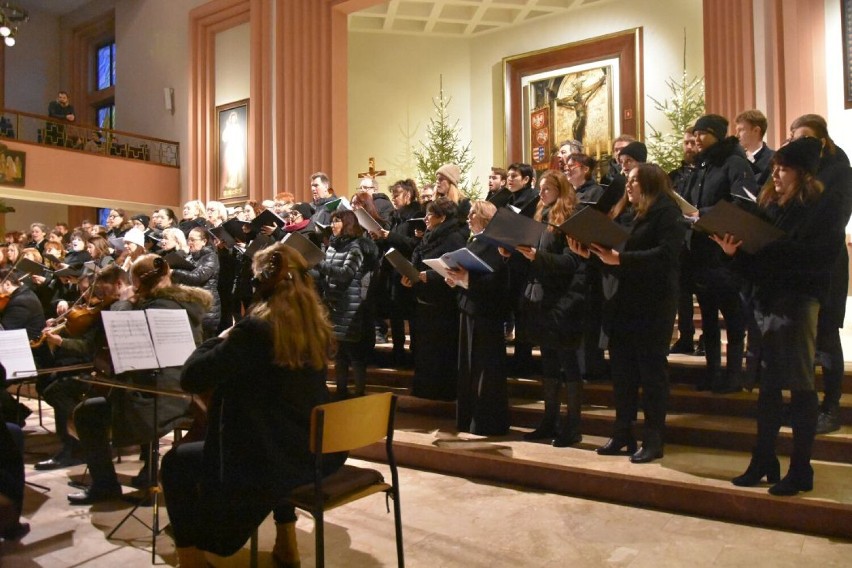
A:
552, 311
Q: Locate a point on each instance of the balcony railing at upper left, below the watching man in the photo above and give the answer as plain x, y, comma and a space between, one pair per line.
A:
39, 129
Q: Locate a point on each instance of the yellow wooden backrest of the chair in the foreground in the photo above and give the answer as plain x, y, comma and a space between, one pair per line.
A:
353, 423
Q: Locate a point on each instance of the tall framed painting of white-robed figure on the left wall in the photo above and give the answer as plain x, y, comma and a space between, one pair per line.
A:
232, 150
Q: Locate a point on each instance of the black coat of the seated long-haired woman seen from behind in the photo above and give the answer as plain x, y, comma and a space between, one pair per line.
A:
257, 445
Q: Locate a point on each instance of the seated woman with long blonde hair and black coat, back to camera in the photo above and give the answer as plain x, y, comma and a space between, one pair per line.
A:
265, 381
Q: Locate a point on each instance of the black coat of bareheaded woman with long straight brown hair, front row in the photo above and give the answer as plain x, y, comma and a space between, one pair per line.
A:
641, 292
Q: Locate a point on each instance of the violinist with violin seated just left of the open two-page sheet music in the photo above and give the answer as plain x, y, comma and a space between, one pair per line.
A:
76, 338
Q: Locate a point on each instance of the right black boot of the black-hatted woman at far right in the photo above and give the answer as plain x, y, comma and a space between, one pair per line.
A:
804, 407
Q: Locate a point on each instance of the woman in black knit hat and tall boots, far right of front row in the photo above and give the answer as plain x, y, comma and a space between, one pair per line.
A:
790, 277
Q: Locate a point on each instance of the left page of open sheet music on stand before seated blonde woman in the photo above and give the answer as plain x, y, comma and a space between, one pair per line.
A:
130, 345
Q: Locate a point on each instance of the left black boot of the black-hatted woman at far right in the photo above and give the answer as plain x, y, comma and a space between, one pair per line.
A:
764, 462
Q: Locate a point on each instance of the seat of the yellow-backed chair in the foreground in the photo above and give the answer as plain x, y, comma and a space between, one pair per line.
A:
346, 484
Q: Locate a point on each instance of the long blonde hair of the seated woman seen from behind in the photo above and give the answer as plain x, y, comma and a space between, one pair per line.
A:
289, 302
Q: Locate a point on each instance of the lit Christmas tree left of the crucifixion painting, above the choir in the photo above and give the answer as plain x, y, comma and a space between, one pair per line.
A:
444, 146
